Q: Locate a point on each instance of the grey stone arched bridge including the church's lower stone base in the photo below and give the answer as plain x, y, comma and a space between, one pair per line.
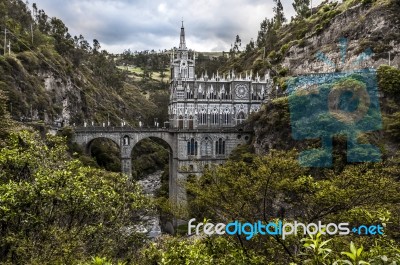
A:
190, 151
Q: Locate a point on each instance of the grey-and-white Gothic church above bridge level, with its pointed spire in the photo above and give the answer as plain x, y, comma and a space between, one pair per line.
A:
210, 102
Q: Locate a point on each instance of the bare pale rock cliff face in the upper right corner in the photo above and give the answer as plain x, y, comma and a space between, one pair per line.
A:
376, 27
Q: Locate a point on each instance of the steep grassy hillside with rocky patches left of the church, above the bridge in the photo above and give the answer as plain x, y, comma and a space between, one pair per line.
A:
51, 76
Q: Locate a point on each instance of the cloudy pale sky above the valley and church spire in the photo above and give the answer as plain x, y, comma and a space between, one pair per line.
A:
140, 25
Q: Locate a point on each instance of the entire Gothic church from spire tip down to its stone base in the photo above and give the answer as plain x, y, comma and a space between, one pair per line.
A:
204, 113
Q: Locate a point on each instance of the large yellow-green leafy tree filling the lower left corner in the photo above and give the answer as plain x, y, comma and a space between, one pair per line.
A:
54, 210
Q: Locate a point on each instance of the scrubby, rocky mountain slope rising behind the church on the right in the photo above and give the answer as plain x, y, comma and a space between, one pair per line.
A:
292, 48
